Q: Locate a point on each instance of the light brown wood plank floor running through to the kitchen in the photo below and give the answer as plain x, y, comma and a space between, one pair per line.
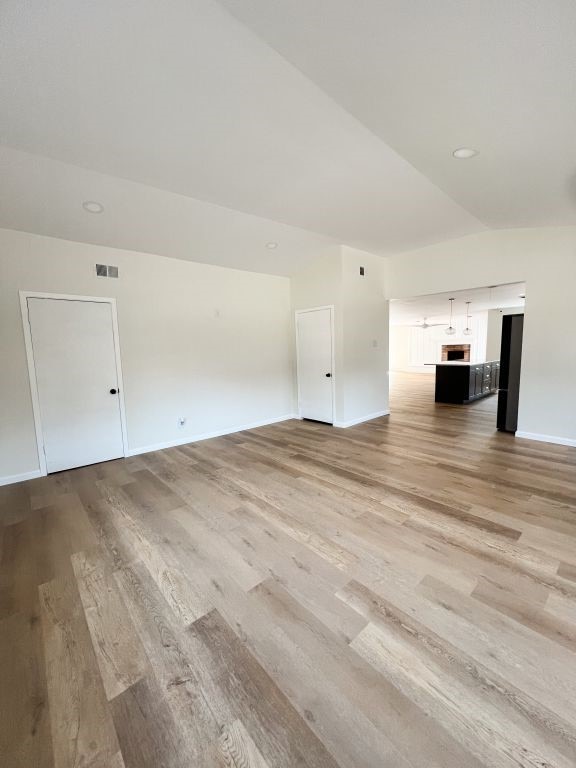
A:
401, 593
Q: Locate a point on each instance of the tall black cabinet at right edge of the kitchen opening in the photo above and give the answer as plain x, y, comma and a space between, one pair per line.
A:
510, 362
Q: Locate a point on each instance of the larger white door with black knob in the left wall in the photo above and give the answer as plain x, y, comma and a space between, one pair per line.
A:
77, 381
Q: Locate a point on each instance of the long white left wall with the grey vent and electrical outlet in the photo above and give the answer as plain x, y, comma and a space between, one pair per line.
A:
208, 343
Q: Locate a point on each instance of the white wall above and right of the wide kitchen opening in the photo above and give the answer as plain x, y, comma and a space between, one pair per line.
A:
546, 259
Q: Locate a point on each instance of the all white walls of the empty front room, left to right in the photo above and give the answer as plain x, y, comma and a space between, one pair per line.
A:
216, 345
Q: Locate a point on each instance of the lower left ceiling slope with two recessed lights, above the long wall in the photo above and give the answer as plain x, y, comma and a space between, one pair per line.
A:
45, 196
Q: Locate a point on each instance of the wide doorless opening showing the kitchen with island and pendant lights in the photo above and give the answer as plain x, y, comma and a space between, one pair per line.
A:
459, 354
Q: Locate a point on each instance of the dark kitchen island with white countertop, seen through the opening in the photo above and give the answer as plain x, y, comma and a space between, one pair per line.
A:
462, 382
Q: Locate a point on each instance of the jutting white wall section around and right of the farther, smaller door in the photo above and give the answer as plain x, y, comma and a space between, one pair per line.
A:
361, 327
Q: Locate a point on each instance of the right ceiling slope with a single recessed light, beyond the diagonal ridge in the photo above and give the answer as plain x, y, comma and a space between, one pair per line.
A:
429, 77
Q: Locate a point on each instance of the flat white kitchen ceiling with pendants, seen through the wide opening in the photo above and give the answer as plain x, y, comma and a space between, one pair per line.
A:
436, 307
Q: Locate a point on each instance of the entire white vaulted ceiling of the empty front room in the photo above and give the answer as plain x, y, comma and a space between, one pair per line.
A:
331, 116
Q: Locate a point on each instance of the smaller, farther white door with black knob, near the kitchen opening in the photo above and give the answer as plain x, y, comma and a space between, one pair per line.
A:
314, 351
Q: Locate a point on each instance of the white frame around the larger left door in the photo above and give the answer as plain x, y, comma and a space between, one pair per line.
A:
24, 296
